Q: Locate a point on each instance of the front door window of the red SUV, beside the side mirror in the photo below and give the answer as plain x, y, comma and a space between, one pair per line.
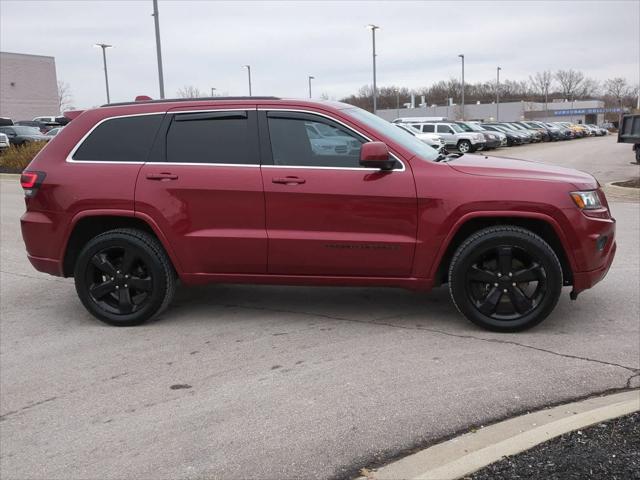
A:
307, 142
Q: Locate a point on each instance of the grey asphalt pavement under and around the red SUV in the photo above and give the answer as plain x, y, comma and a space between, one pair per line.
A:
283, 382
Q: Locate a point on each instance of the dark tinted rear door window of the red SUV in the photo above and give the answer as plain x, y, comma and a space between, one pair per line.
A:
217, 137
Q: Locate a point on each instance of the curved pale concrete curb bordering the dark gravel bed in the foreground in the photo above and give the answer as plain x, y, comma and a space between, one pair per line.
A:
470, 452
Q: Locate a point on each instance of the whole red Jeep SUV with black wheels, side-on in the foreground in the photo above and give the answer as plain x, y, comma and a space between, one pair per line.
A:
130, 197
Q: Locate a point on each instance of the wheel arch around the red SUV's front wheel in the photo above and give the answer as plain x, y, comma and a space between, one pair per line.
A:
544, 226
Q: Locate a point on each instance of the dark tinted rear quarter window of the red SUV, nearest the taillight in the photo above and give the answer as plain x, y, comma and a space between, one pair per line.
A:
126, 139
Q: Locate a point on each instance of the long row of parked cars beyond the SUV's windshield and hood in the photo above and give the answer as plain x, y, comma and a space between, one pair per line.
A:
471, 136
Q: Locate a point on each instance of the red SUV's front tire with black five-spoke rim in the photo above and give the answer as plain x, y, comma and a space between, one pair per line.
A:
505, 279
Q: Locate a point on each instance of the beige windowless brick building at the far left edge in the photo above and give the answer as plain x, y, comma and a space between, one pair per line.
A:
28, 86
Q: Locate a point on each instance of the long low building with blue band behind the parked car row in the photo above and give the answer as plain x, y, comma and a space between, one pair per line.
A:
579, 111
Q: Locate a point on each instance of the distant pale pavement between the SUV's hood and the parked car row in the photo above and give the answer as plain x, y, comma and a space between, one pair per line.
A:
602, 157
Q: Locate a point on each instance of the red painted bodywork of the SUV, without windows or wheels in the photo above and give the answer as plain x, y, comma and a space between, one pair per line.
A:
224, 223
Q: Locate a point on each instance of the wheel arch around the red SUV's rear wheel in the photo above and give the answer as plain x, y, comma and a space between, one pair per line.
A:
87, 224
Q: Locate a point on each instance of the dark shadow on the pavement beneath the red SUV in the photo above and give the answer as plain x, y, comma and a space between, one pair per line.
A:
401, 308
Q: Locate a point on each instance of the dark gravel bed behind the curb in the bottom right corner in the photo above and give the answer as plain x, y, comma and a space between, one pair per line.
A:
608, 450
